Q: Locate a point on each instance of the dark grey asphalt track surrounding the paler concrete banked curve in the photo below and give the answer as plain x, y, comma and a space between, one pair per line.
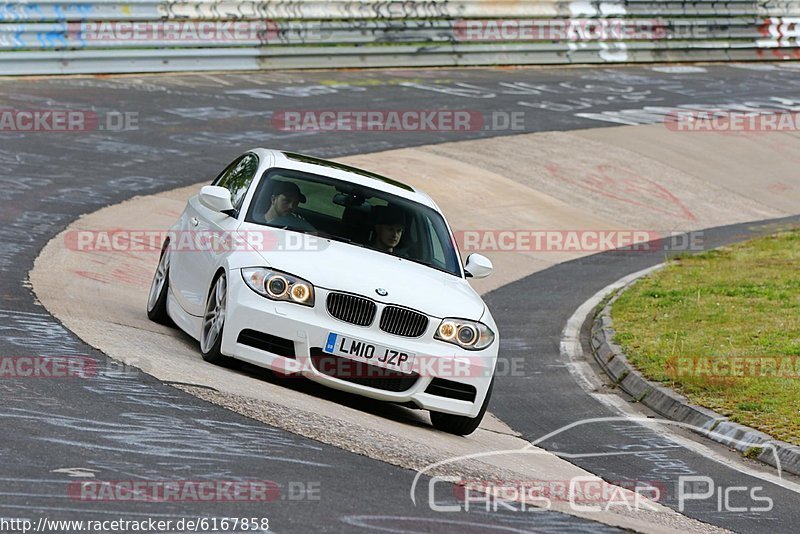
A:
183, 129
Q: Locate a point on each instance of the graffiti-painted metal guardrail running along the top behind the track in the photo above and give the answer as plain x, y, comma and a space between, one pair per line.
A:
104, 36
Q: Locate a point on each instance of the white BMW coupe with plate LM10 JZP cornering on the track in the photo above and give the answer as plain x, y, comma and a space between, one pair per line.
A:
353, 280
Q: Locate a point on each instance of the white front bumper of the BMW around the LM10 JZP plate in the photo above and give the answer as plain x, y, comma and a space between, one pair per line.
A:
439, 366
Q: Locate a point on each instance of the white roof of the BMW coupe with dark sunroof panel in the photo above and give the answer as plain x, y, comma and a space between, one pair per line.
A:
340, 171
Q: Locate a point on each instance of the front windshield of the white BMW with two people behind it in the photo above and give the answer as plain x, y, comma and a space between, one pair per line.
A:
354, 214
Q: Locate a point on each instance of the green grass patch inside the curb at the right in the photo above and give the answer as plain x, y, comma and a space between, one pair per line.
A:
732, 304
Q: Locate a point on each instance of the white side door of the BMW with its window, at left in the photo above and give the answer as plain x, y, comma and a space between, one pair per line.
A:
208, 232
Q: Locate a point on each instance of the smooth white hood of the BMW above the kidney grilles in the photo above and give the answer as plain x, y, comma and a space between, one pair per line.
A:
344, 267
